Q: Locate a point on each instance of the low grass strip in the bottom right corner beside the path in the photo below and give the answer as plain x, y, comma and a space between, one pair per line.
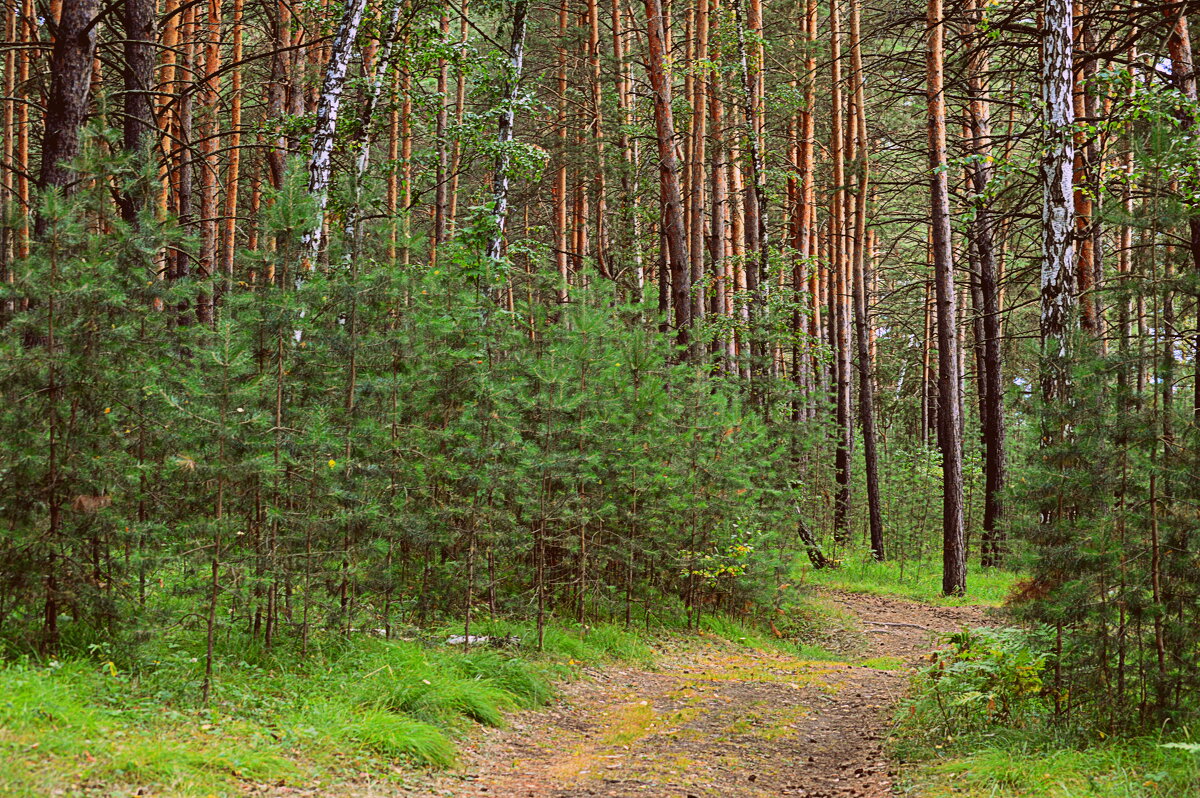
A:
1138, 769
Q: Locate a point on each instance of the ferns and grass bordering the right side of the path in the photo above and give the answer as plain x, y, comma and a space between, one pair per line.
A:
982, 721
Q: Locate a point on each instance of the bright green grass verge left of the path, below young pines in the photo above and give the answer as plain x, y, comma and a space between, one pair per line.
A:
368, 705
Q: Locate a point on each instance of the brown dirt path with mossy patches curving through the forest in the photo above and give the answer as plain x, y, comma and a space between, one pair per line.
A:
717, 722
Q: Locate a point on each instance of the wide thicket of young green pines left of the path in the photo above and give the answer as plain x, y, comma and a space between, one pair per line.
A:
317, 461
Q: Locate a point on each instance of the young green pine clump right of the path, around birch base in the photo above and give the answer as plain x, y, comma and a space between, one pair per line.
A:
1113, 554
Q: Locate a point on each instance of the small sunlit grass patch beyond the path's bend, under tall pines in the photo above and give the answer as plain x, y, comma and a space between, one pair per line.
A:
920, 581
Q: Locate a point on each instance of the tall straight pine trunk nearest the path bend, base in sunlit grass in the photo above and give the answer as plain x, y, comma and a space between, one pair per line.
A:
950, 429
